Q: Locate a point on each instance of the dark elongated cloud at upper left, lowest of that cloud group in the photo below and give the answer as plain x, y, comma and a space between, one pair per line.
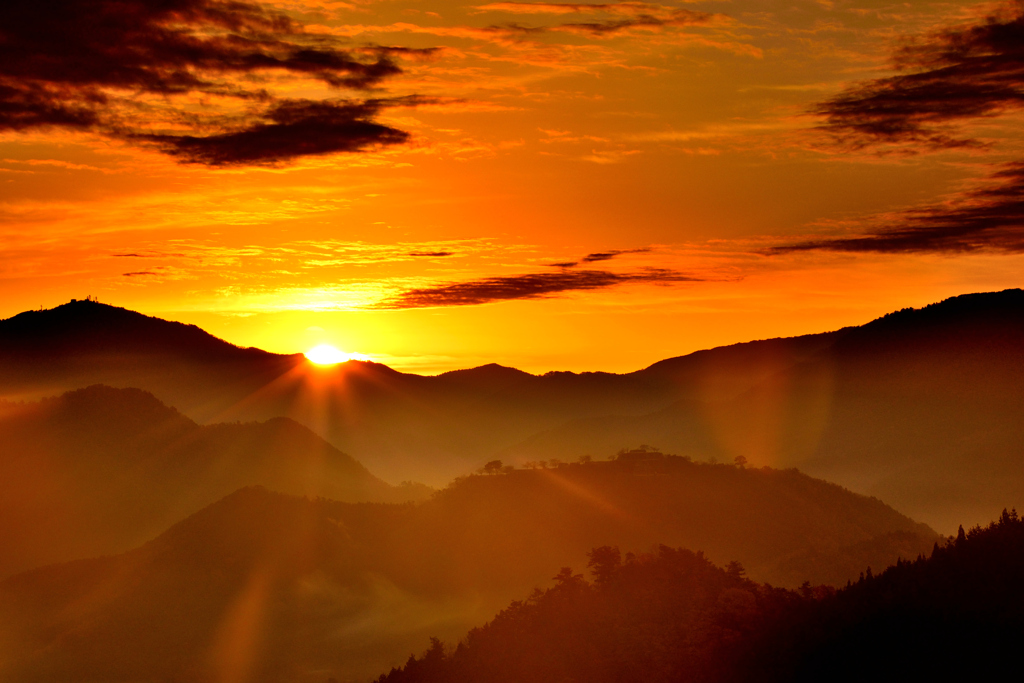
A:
293, 129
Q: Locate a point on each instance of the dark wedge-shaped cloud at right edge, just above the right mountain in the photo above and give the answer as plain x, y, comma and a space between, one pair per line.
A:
991, 218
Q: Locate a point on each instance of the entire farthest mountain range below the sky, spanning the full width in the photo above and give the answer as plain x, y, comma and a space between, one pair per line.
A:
921, 408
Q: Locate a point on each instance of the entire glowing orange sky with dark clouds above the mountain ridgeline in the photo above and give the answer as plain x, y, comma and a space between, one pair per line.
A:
546, 186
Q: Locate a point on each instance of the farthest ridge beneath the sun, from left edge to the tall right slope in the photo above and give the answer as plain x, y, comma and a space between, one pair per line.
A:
405, 426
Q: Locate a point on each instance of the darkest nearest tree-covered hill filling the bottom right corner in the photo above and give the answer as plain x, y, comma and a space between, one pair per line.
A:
672, 616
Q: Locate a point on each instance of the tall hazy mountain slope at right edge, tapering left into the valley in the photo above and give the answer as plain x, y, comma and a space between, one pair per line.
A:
921, 408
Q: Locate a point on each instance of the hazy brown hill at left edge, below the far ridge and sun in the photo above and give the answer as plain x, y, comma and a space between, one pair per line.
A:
101, 471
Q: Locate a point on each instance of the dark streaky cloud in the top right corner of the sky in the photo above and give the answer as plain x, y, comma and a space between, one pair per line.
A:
949, 77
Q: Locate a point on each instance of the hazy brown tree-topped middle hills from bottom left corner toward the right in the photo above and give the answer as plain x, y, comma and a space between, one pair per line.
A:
268, 587
